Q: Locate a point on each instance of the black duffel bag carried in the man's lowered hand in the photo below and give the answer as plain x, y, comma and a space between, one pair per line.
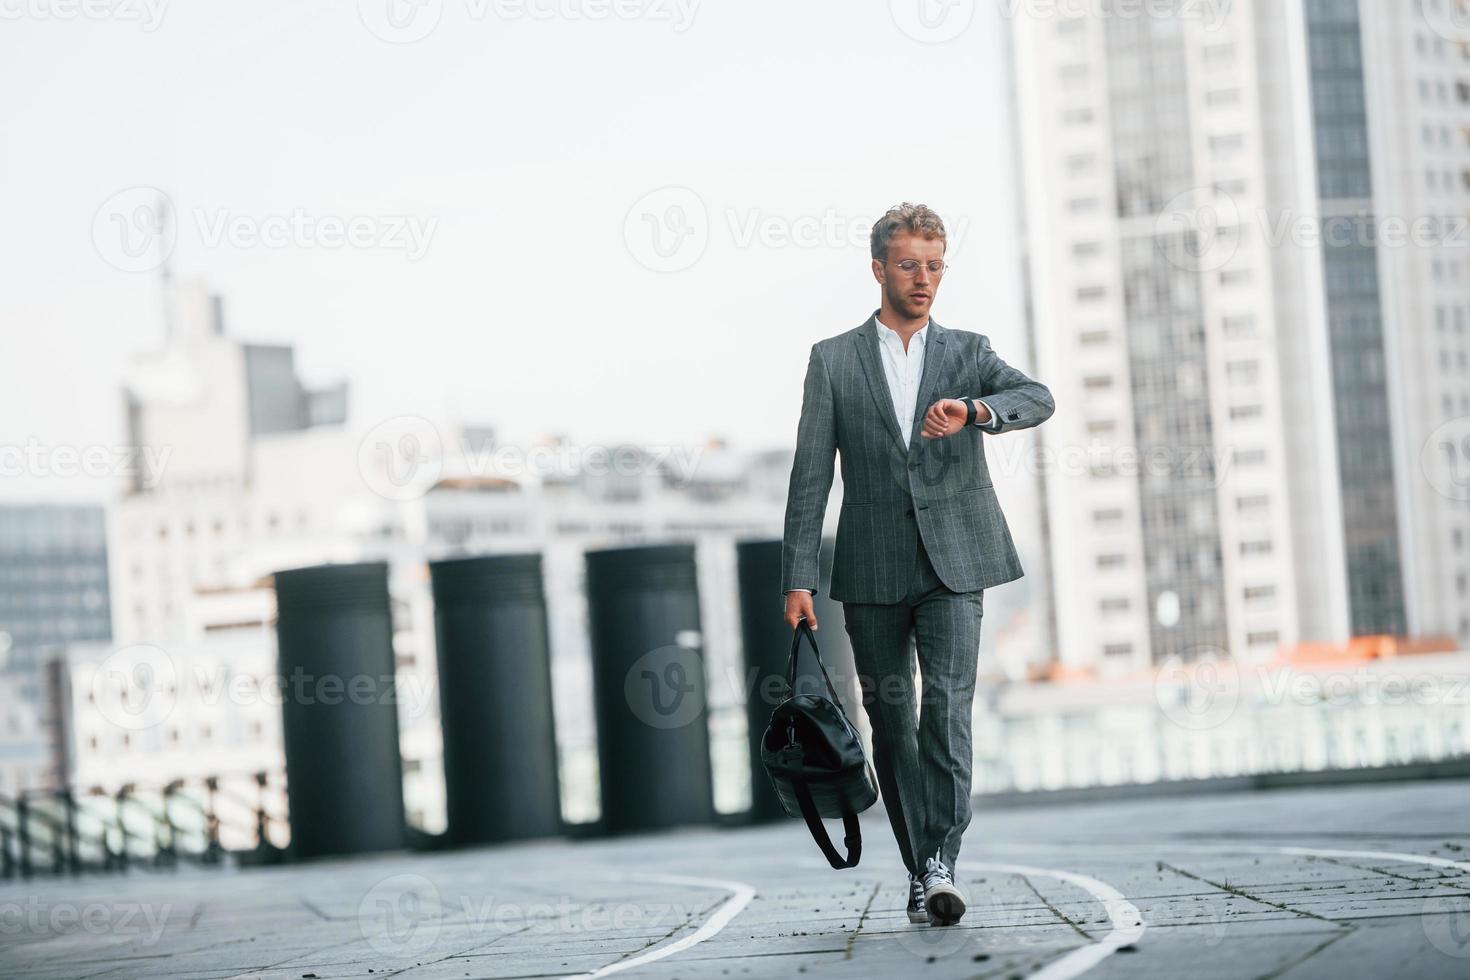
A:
817, 763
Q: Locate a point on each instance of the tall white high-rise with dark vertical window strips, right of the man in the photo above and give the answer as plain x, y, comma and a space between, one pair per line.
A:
1240, 362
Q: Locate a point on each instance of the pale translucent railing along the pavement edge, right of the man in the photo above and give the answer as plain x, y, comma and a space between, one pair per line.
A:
1238, 722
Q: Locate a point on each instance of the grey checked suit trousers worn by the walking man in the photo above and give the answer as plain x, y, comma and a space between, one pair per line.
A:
924, 766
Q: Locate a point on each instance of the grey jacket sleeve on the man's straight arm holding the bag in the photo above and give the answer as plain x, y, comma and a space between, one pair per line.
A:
811, 480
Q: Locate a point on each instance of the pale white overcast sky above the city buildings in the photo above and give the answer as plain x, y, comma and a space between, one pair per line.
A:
501, 170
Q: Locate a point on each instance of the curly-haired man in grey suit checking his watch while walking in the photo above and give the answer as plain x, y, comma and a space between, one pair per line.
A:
921, 536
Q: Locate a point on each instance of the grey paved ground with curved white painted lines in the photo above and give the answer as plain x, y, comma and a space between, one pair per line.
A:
1324, 882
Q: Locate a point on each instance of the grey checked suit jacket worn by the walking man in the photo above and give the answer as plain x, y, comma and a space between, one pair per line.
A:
939, 490
